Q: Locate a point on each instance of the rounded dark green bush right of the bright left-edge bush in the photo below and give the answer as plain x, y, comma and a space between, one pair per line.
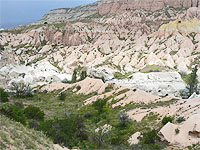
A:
35, 113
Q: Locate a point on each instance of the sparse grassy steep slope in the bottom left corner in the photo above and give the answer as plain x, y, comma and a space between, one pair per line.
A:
14, 135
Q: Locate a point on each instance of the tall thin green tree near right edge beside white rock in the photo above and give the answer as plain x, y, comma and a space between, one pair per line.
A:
192, 81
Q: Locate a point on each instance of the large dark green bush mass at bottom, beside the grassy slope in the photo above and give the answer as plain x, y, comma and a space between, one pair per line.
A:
68, 132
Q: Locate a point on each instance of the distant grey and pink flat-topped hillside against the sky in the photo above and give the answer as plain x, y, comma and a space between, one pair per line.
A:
104, 7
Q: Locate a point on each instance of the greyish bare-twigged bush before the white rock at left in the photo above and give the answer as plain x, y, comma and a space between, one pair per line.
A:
21, 89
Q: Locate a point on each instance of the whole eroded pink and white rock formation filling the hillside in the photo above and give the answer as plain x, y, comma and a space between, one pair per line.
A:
140, 40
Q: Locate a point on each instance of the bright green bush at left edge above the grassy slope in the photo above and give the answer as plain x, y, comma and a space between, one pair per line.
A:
13, 112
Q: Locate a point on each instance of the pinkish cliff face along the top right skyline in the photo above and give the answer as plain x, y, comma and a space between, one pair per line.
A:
119, 6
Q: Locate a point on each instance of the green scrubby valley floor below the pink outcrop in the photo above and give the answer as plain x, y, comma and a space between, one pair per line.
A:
69, 123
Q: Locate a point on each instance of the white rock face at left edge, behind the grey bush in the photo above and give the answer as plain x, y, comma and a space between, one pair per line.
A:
38, 74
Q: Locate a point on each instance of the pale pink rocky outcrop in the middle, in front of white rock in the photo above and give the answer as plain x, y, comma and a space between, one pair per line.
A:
104, 90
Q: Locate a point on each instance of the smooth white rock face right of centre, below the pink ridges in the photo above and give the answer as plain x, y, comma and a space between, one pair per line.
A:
158, 83
